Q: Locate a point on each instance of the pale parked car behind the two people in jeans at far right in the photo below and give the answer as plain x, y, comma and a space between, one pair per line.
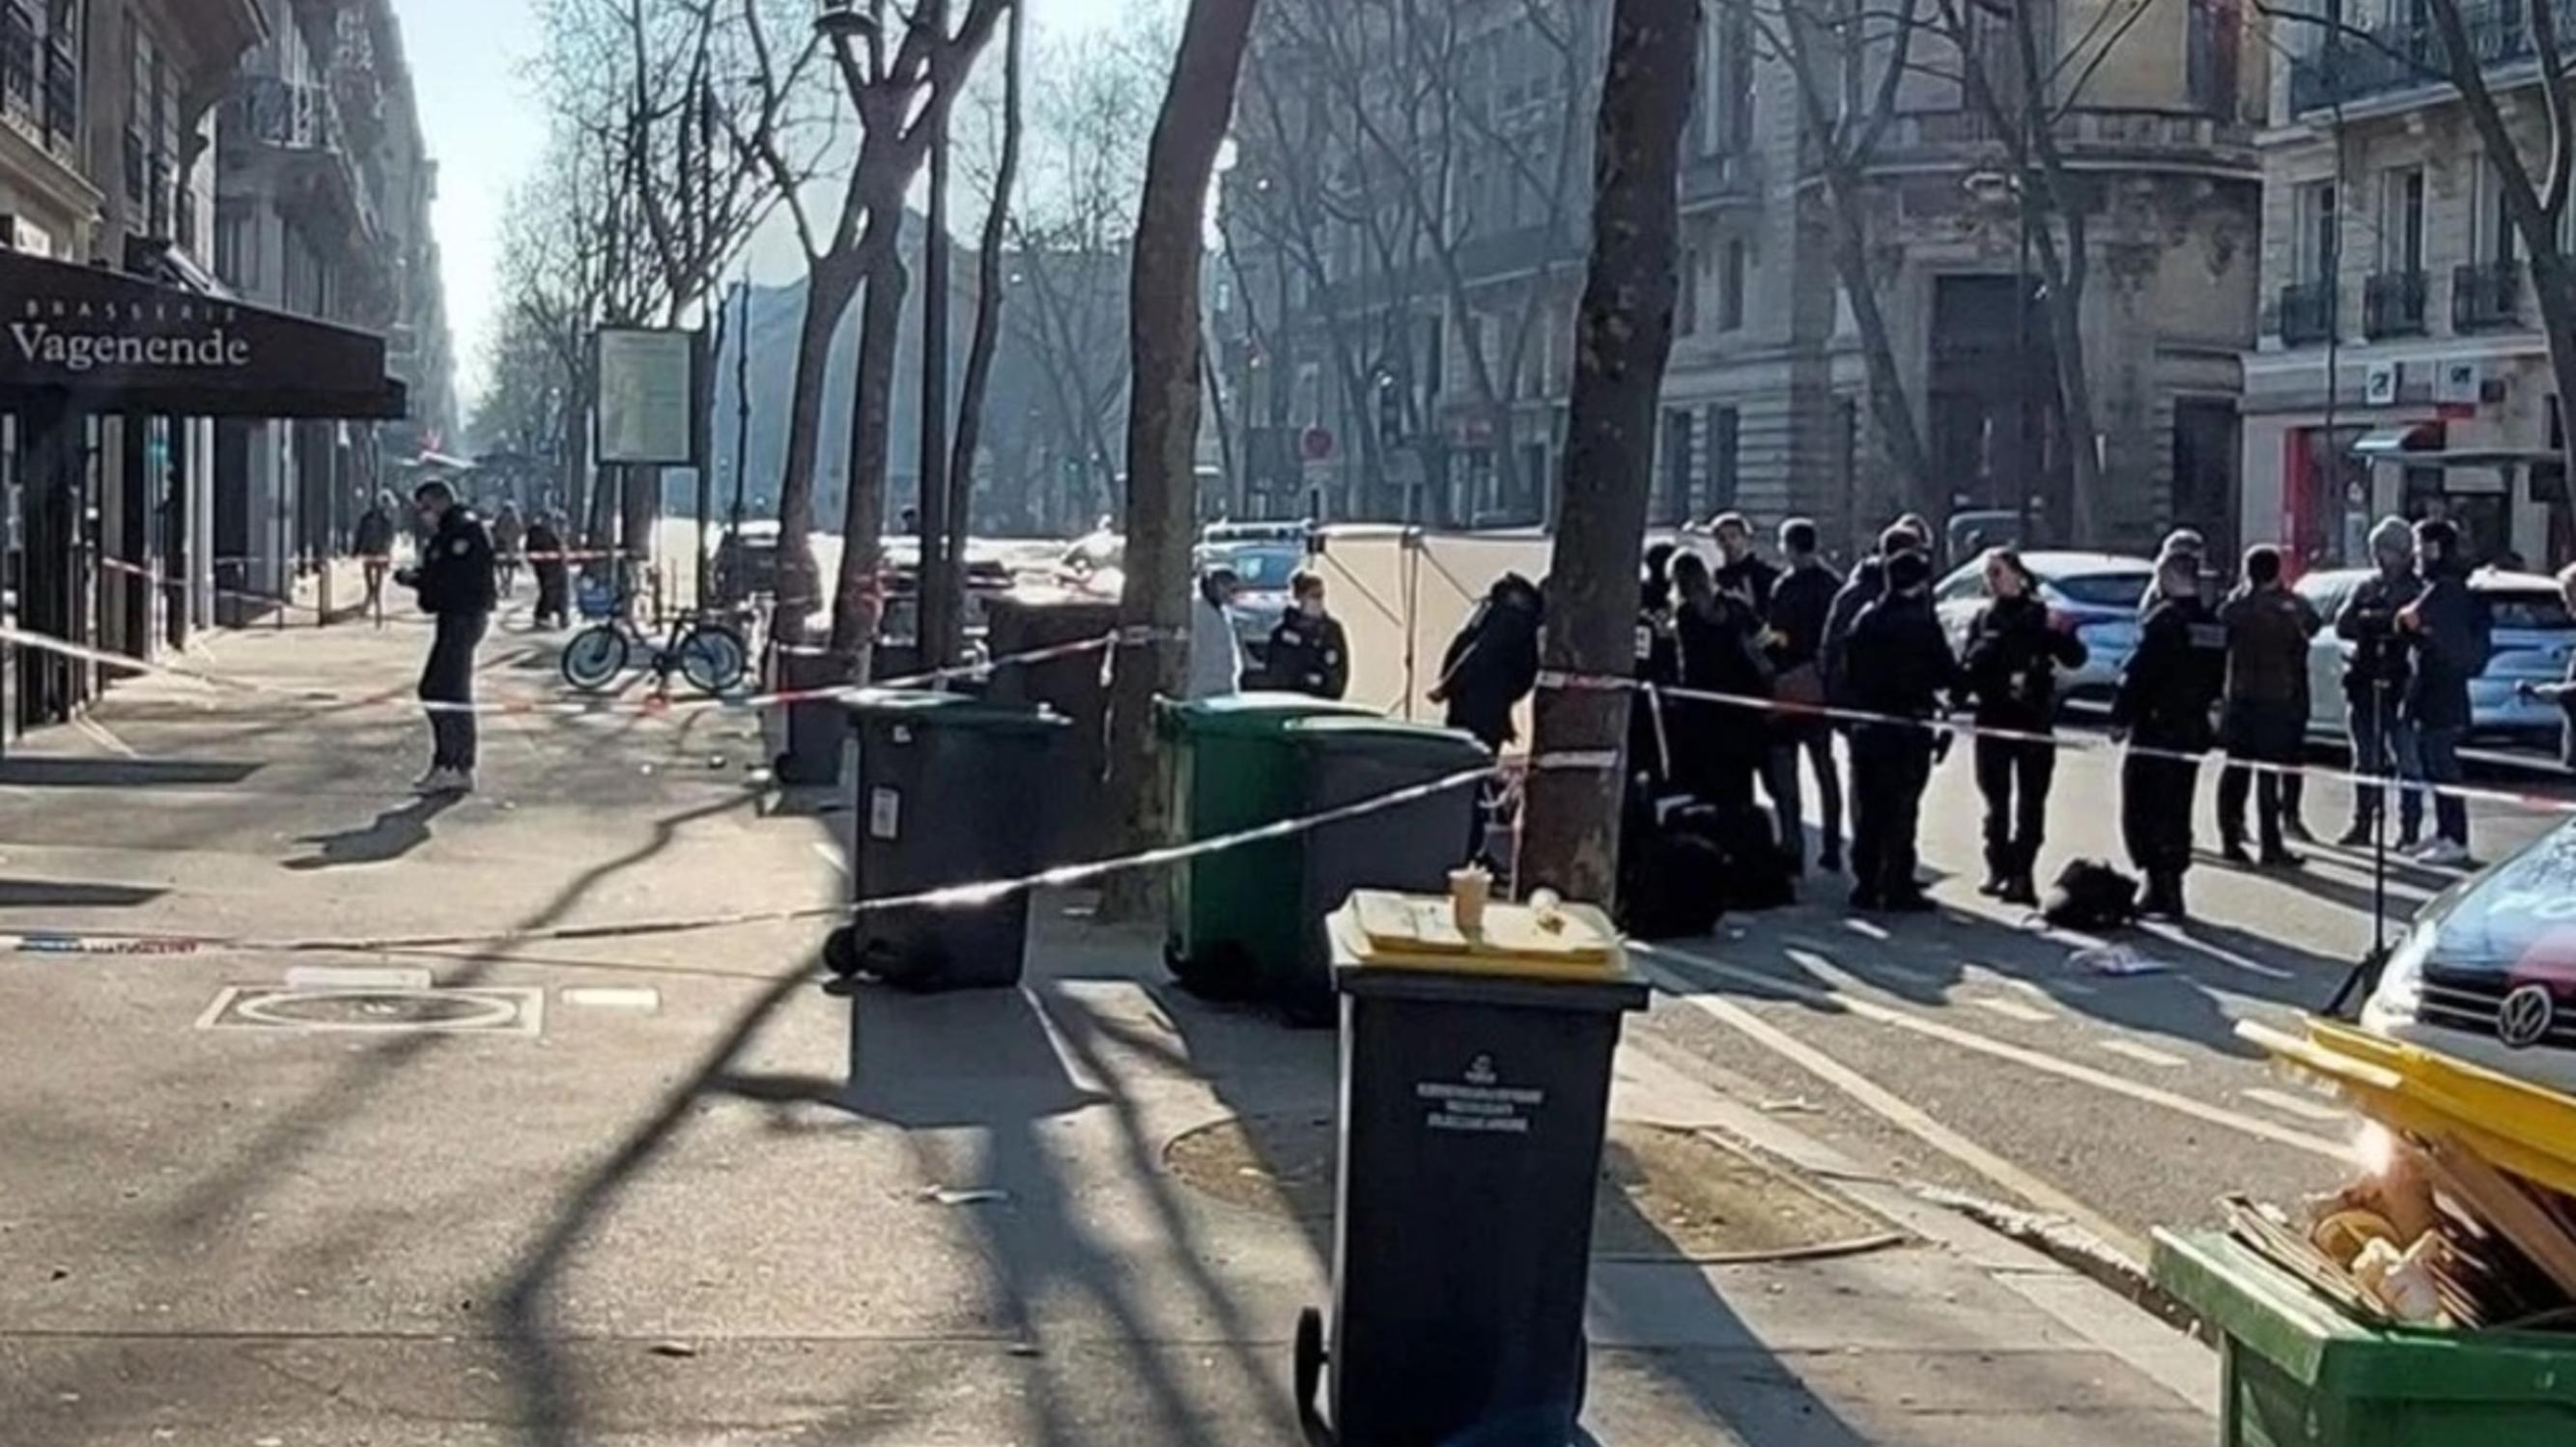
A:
2533, 640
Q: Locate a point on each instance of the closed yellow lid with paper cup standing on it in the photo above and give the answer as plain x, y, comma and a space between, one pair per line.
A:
1516, 941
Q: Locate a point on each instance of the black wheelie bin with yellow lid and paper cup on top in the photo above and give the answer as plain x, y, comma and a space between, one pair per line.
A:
1475, 1098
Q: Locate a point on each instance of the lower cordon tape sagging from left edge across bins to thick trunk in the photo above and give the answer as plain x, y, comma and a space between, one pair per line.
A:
949, 897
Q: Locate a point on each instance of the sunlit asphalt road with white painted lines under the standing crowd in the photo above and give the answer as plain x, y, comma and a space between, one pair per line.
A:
1967, 1052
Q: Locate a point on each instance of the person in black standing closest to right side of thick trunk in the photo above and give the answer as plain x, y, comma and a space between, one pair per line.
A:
1722, 653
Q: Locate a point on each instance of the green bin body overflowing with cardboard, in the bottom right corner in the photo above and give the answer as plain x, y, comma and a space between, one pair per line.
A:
2299, 1374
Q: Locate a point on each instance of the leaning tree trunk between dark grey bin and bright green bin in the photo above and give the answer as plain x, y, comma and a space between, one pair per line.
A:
1163, 421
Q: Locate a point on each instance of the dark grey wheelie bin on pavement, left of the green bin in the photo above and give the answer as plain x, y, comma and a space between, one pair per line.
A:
949, 792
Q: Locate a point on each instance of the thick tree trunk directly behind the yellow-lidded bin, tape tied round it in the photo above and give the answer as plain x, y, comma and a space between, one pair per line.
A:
1624, 336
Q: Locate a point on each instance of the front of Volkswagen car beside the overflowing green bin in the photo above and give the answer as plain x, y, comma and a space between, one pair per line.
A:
2490, 969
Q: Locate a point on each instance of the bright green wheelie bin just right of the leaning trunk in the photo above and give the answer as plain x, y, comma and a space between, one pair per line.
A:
1235, 769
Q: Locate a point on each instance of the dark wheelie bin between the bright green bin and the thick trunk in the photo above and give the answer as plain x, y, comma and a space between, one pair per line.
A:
1405, 848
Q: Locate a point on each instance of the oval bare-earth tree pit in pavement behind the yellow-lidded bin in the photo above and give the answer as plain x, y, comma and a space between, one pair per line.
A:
1665, 1193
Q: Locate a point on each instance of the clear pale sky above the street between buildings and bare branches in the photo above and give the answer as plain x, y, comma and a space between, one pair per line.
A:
486, 130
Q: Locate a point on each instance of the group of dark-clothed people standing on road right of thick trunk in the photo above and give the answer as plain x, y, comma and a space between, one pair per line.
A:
1756, 668
